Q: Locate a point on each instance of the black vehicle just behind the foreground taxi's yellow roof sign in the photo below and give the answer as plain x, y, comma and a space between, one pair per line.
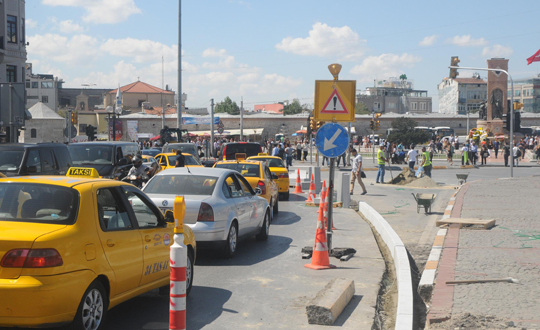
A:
110, 159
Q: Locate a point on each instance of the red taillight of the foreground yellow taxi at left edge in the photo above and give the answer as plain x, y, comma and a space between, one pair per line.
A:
38, 258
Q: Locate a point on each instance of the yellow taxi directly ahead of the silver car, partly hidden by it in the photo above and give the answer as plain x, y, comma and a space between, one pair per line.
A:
258, 175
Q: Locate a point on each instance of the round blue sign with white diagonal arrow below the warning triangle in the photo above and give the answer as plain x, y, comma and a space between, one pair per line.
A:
332, 140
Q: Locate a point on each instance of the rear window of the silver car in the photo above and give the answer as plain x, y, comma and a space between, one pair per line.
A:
182, 184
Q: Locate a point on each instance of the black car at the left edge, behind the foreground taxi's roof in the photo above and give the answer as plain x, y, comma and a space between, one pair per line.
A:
34, 159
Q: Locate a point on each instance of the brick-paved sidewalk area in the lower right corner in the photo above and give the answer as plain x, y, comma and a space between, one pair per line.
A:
511, 249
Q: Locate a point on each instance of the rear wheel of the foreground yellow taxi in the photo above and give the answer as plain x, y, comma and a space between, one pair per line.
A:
92, 308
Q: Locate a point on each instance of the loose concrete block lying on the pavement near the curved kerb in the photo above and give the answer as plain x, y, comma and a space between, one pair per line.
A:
326, 307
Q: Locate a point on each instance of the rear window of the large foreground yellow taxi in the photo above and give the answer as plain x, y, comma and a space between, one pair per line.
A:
40, 203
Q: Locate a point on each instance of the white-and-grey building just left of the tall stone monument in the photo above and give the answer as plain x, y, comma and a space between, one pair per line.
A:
459, 95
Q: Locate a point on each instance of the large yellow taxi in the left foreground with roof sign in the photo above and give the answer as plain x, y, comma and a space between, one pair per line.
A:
73, 247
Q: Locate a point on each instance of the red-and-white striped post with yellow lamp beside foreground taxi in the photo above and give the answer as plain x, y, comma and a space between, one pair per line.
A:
178, 255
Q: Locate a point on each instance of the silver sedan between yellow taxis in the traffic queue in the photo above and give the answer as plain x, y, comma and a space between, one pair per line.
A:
221, 206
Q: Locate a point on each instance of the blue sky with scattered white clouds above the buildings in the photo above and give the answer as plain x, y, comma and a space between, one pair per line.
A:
266, 51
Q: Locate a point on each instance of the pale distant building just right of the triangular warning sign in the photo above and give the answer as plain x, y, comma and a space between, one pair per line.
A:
396, 96
